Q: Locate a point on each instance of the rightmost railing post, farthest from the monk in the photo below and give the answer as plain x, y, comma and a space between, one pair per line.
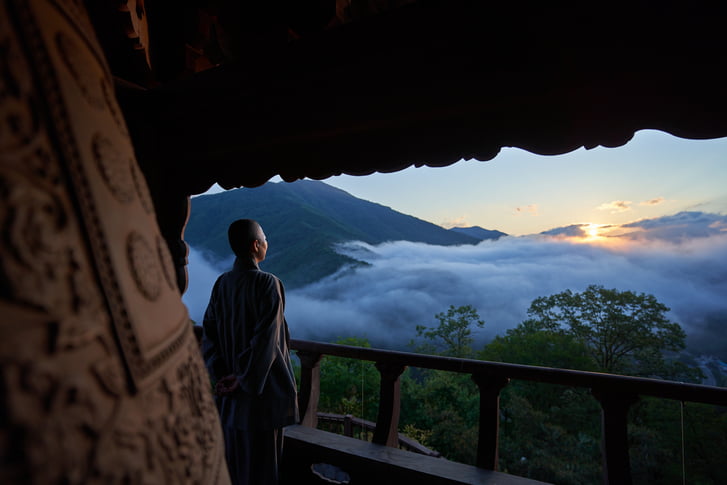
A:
615, 445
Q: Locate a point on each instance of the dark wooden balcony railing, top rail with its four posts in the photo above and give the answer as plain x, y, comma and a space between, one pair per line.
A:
615, 394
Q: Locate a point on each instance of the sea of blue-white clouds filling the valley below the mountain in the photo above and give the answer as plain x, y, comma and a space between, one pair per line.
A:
681, 260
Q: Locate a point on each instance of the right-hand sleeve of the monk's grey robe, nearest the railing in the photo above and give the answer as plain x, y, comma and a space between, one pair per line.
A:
259, 357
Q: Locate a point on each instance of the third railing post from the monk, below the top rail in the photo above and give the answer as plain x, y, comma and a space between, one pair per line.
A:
489, 432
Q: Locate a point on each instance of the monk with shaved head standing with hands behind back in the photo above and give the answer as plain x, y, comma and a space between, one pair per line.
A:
246, 347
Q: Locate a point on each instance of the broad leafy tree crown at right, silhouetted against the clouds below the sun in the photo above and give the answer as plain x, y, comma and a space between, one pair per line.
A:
624, 332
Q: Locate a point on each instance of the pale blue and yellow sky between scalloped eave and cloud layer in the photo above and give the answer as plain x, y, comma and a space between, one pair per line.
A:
519, 193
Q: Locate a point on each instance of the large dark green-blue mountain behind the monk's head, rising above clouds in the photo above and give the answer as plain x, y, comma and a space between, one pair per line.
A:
303, 221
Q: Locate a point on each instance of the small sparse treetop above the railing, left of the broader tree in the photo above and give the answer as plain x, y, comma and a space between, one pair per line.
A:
453, 336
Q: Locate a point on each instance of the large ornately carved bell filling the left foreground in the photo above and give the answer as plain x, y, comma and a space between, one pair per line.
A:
101, 380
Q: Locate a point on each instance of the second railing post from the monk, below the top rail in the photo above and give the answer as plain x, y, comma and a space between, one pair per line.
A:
387, 423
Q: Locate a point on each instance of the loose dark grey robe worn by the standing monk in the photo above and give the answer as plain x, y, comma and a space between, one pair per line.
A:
245, 334
